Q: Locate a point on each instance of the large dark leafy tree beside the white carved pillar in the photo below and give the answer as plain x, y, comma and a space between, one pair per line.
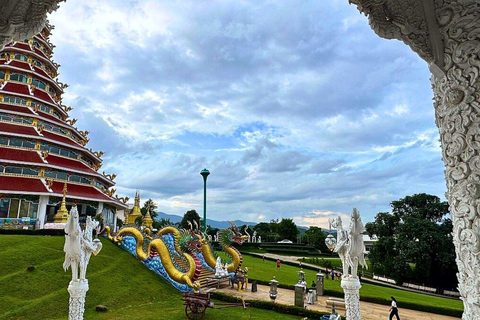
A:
415, 242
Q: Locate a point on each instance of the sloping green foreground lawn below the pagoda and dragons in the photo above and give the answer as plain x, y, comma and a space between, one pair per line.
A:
116, 280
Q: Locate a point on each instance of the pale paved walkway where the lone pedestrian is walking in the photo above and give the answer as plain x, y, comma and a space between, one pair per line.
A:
369, 311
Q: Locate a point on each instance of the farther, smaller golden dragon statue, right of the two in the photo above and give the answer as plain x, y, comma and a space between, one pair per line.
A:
226, 237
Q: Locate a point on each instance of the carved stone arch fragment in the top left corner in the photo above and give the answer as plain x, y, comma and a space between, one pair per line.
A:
23, 19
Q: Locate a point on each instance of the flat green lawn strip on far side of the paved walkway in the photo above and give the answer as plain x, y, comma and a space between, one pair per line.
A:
288, 275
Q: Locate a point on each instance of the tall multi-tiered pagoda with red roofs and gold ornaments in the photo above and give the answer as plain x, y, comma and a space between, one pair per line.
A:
40, 149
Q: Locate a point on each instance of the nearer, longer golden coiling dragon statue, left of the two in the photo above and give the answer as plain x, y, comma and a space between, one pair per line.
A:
186, 244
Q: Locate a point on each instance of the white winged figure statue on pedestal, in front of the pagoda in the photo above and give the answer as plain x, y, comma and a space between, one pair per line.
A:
78, 248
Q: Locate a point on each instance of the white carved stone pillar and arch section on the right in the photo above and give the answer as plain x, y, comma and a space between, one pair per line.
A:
452, 29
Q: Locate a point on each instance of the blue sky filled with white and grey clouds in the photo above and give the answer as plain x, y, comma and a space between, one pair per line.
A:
296, 107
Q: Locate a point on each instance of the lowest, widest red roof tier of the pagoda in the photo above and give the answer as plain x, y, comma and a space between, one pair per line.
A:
34, 185
